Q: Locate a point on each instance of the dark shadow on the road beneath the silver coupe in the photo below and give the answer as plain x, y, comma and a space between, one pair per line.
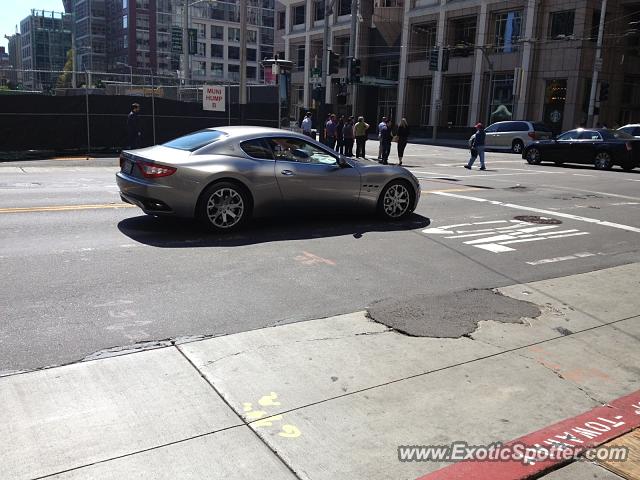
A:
177, 233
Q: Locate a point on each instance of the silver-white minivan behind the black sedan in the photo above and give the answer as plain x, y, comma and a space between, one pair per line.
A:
514, 135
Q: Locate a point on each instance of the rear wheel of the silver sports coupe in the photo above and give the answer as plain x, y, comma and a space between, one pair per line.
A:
223, 207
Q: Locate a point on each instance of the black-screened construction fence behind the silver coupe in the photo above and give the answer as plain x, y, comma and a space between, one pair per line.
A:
92, 116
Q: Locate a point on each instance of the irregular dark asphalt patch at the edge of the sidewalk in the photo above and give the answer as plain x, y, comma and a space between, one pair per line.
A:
449, 316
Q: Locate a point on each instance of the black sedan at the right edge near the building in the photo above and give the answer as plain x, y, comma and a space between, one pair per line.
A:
600, 147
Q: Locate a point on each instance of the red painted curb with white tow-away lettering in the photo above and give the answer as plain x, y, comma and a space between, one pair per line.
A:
585, 431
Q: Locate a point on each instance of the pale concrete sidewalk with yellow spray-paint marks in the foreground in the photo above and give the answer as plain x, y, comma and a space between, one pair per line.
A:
332, 398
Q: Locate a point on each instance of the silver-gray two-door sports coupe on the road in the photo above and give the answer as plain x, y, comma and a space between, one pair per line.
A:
224, 175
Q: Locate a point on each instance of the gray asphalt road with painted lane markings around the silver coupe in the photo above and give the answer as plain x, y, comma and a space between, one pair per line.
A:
82, 272
